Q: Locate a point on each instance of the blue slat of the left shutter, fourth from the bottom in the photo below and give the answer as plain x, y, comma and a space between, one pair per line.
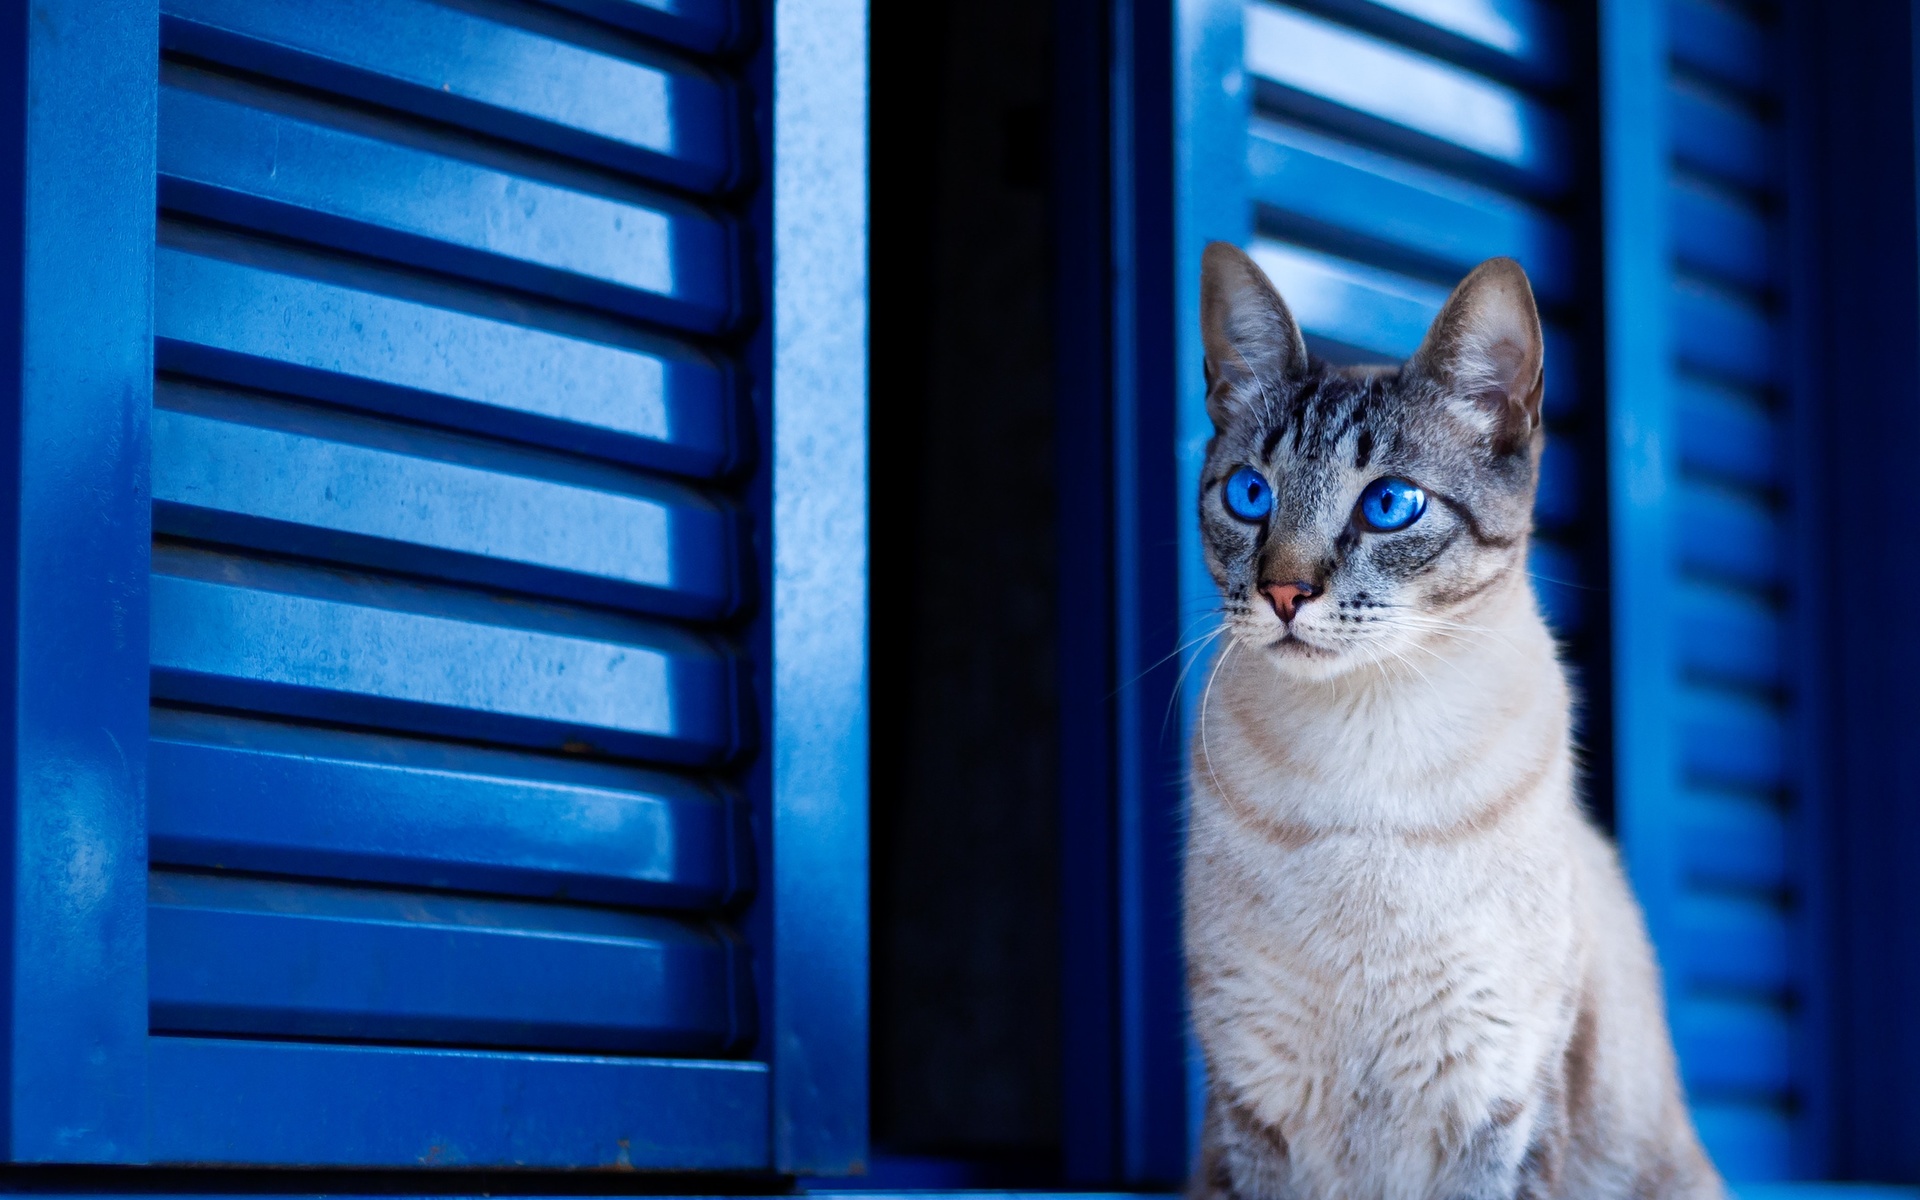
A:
252, 471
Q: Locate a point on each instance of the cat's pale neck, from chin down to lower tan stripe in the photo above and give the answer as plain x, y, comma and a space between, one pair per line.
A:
1422, 742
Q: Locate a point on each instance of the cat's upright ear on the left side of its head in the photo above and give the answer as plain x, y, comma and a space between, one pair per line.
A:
1253, 343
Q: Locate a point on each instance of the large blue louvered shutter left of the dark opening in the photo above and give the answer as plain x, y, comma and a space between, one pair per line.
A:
481, 825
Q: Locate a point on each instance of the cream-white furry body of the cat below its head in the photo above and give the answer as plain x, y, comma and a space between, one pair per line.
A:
1397, 917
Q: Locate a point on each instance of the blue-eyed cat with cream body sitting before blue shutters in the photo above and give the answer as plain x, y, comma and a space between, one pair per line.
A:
1416, 969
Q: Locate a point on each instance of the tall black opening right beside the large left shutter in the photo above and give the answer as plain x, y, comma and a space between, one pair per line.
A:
965, 590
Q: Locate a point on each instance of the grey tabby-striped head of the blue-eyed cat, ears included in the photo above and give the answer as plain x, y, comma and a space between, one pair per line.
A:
1356, 514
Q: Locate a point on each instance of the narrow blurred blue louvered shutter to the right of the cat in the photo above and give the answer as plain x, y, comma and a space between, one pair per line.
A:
1716, 784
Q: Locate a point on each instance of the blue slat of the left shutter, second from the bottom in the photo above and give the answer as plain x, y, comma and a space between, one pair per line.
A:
270, 798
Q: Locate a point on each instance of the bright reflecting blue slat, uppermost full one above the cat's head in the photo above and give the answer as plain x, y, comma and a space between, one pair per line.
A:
1387, 93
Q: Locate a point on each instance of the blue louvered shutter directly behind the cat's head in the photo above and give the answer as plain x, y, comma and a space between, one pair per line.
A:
1372, 155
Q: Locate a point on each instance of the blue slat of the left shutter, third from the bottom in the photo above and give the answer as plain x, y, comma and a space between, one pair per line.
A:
302, 642
